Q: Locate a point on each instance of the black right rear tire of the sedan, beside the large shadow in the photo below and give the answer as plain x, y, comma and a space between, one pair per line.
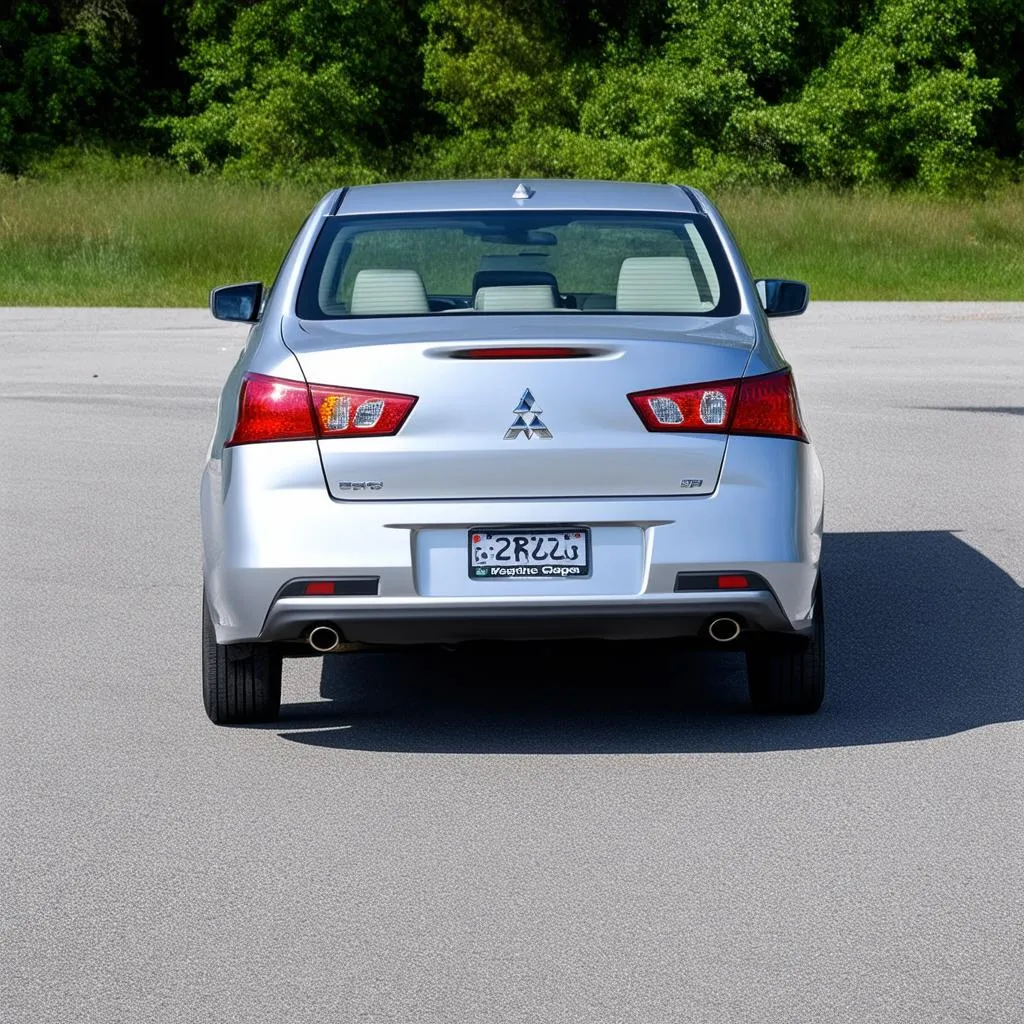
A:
787, 675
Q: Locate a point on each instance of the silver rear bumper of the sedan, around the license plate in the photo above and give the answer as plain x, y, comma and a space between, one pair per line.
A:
268, 520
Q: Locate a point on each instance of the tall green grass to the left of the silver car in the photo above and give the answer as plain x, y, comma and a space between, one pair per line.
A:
151, 237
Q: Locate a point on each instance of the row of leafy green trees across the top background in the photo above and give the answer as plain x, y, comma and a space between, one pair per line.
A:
718, 93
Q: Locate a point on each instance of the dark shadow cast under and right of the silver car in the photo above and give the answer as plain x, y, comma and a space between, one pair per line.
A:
926, 639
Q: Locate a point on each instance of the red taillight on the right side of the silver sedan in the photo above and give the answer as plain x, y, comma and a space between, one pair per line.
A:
766, 406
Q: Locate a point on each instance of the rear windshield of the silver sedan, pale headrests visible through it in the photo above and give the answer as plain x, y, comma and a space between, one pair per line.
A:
518, 263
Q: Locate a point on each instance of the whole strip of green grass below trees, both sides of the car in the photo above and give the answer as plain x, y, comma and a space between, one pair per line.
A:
149, 236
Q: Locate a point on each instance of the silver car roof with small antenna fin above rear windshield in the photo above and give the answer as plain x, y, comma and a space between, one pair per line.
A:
505, 194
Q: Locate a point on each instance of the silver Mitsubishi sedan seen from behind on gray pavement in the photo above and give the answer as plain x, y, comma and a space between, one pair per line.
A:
510, 411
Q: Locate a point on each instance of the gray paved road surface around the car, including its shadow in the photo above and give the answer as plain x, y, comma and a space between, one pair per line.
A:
536, 838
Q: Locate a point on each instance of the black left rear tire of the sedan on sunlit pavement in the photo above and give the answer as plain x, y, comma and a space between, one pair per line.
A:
241, 682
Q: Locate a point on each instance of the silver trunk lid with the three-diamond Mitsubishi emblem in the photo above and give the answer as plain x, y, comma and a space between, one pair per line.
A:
522, 428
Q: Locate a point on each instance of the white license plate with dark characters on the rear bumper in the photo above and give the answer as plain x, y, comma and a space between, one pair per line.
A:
530, 554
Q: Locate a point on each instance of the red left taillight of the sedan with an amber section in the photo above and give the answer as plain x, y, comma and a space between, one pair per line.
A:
276, 410
